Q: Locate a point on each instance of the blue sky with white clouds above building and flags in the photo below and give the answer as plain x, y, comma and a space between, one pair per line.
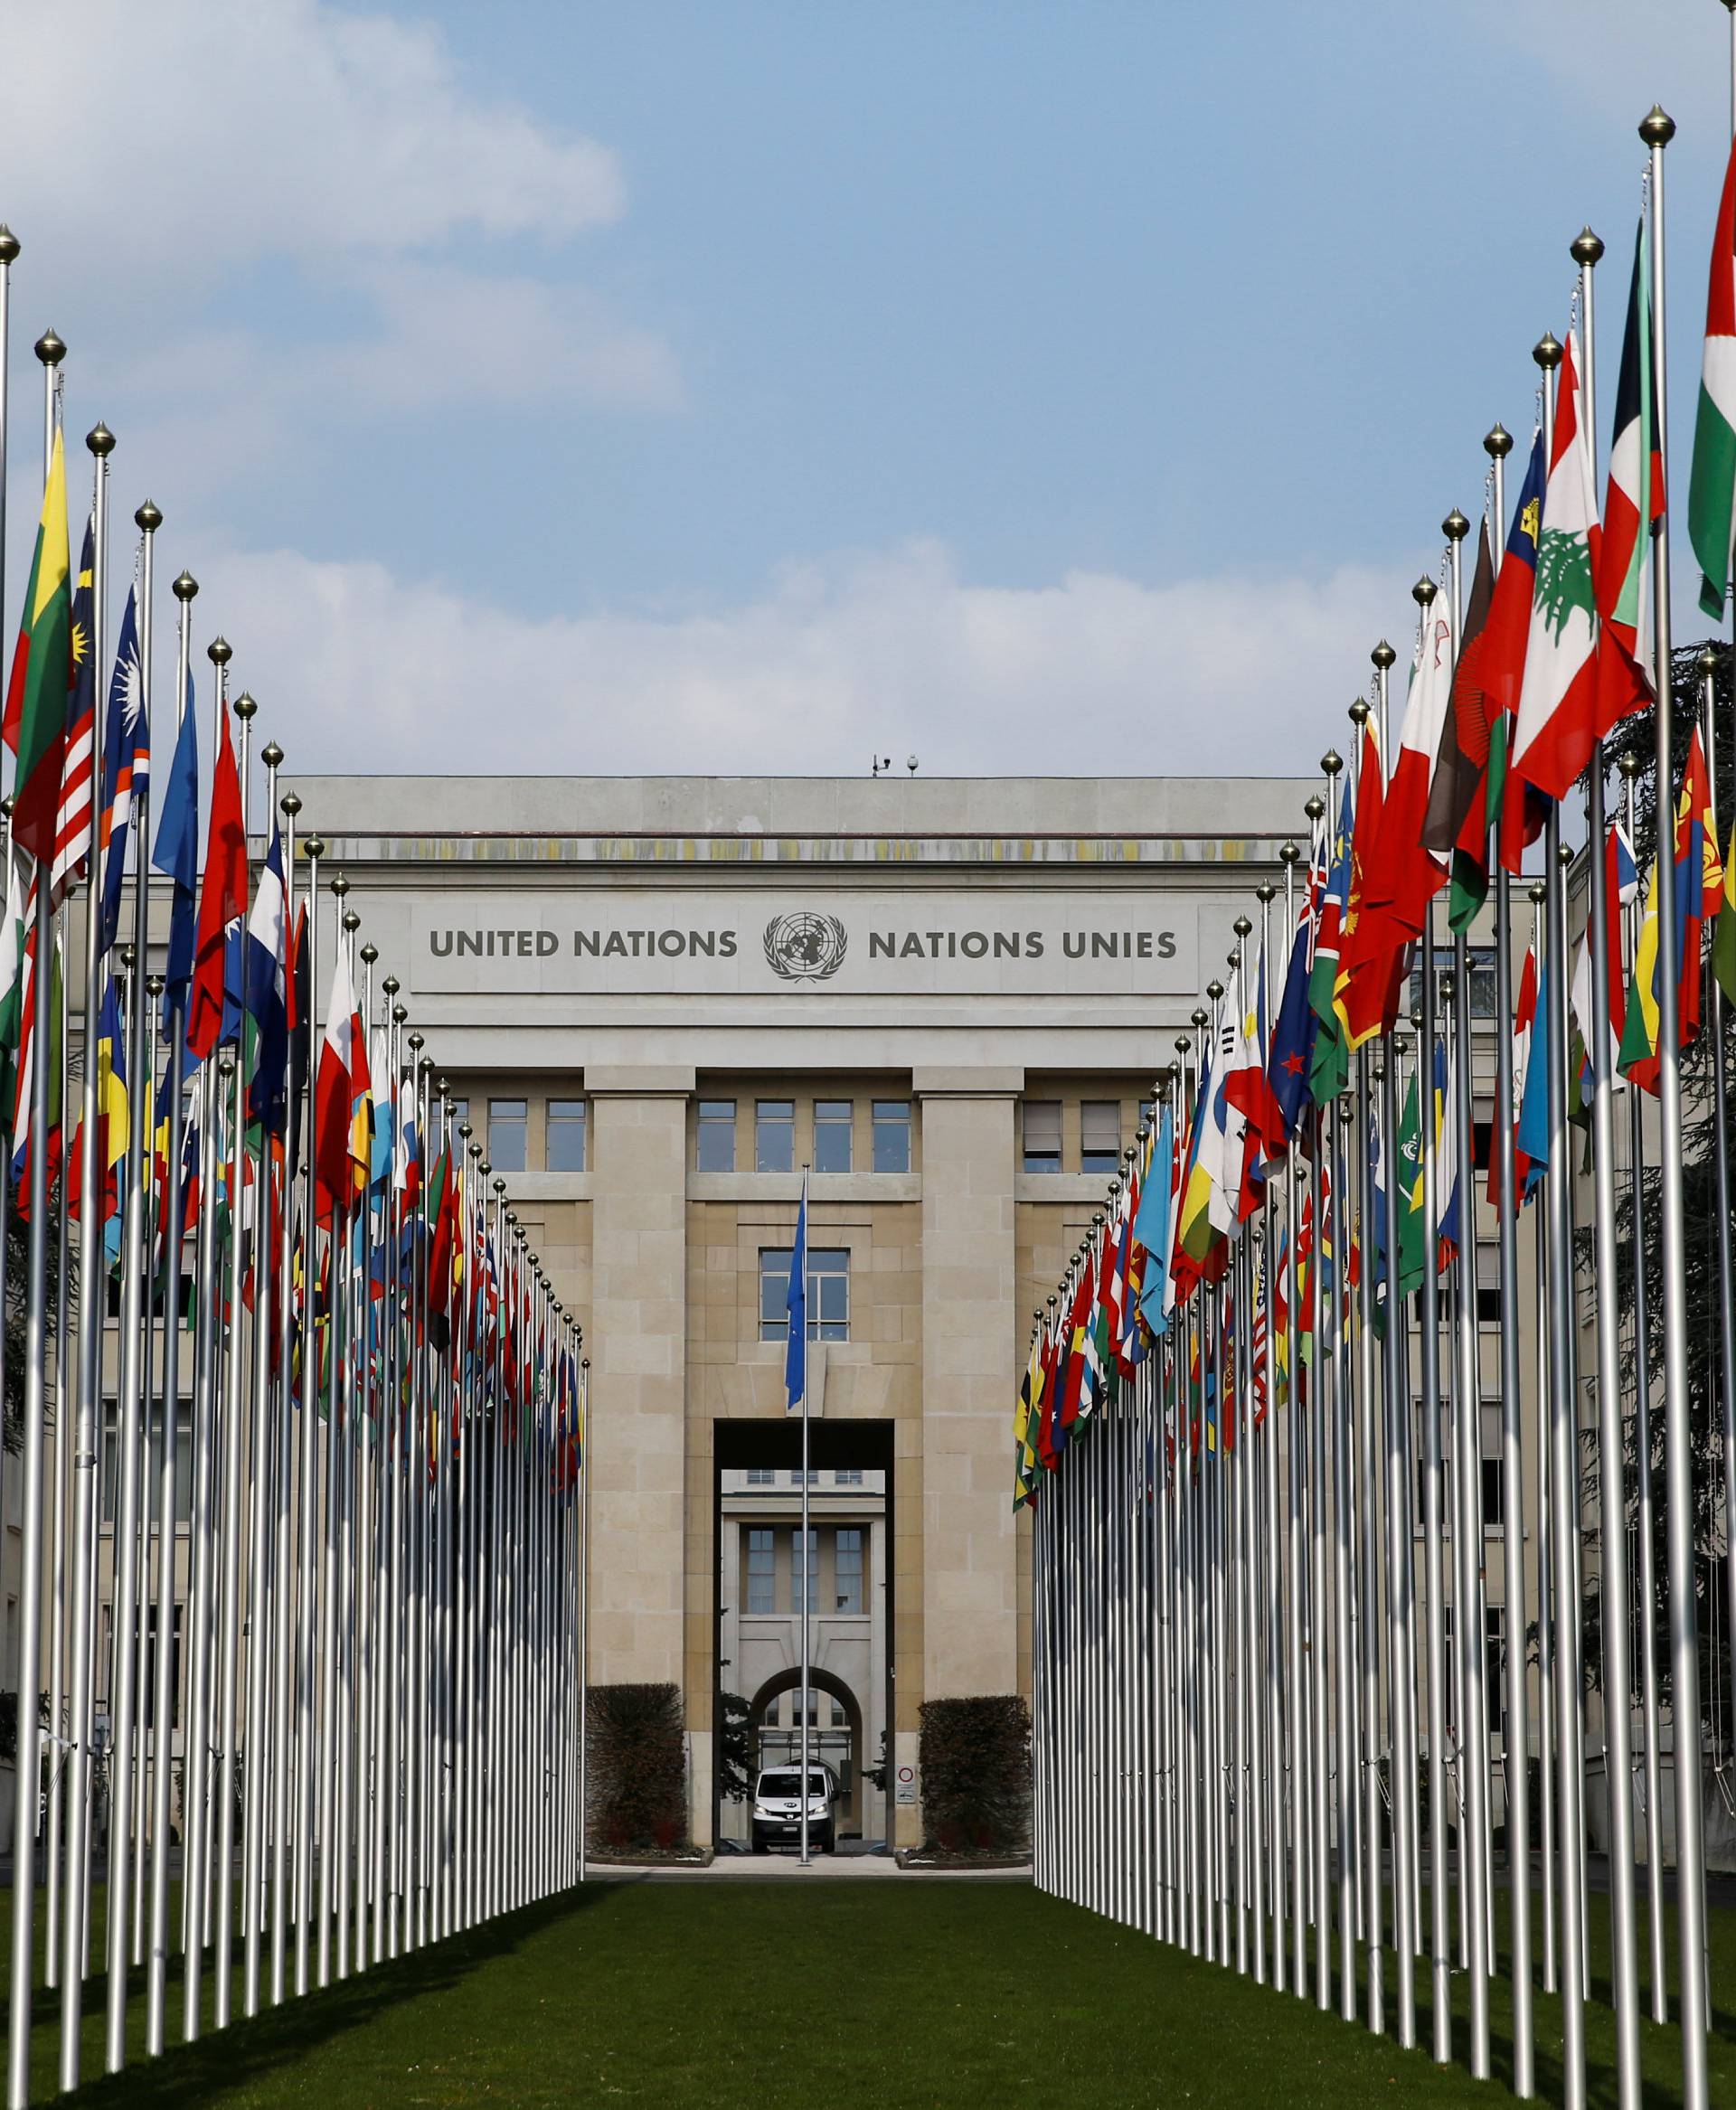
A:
750, 387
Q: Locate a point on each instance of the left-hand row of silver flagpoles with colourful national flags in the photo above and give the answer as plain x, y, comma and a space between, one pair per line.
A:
341, 1704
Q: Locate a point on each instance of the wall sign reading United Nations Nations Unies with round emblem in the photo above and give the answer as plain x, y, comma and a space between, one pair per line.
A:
986, 942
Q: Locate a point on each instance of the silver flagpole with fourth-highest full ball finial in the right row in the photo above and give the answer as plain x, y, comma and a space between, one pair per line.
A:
1518, 1797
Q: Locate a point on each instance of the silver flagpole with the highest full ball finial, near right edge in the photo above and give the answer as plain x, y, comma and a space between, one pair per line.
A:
1691, 1826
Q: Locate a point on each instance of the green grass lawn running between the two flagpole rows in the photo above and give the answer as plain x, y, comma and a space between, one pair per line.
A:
847, 1995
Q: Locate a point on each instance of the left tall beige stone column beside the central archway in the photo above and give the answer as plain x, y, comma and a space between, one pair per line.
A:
638, 1343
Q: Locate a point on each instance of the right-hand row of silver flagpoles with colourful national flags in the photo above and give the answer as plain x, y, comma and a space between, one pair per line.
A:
1260, 1590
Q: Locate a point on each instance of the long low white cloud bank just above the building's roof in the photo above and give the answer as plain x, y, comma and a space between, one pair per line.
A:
834, 661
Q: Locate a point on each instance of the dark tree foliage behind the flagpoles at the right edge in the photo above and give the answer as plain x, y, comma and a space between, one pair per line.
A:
1699, 1176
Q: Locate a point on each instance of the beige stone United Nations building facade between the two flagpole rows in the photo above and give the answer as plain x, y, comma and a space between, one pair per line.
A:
659, 1003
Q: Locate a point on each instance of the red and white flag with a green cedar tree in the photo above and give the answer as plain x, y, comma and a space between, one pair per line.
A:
1558, 708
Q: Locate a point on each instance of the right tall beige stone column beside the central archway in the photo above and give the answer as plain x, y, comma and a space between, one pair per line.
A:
969, 1354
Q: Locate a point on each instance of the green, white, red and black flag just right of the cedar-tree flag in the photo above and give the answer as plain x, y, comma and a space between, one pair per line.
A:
1632, 503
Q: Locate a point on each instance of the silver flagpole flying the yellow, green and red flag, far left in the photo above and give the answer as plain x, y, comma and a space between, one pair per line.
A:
50, 351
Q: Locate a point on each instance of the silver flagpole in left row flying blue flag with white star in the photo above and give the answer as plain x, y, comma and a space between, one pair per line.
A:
130, 1742
